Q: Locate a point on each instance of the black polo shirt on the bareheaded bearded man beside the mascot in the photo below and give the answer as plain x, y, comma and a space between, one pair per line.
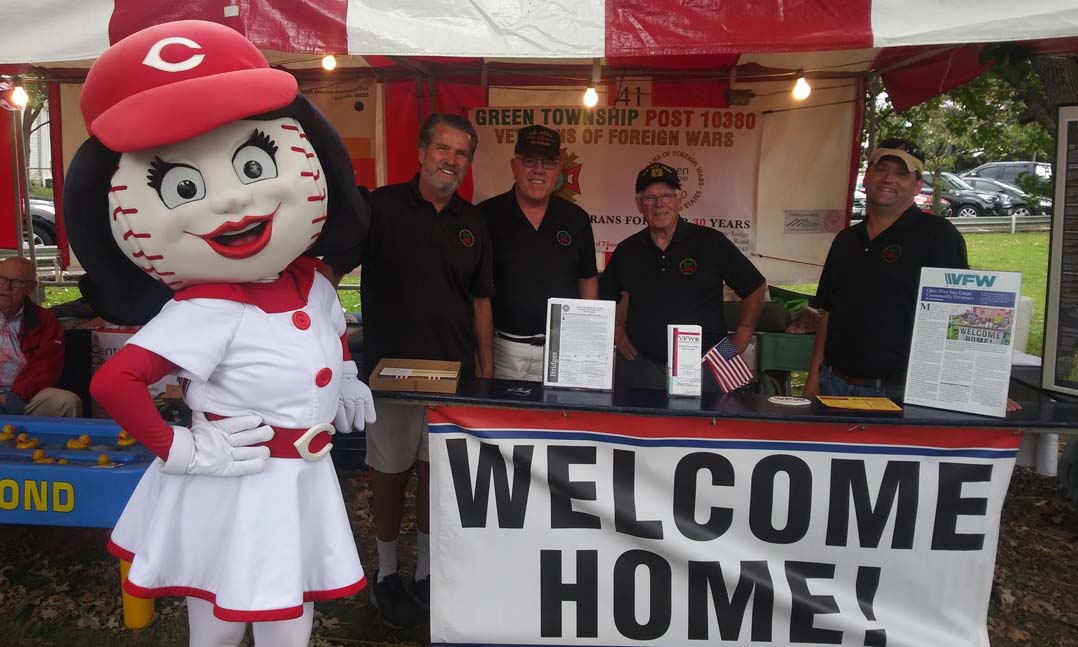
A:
421, 271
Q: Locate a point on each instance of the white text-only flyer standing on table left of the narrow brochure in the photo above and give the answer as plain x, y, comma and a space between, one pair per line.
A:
579, 351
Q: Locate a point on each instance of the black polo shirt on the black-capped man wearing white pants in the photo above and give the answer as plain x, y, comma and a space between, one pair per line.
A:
532, 266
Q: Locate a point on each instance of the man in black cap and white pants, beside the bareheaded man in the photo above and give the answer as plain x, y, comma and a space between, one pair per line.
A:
544, 247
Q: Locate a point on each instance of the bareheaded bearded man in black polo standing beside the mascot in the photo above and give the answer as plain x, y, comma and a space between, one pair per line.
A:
426, 295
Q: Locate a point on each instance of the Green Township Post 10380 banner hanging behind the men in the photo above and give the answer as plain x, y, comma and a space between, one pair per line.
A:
716, 153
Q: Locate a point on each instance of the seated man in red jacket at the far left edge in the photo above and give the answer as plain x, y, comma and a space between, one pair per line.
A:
32, 349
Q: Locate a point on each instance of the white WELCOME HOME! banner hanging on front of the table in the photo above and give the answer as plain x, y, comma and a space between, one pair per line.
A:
587, 529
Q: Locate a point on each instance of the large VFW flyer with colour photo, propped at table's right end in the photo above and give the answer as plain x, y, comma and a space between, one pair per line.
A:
963, 340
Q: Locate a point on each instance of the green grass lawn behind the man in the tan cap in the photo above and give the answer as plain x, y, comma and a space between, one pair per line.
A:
1026, 253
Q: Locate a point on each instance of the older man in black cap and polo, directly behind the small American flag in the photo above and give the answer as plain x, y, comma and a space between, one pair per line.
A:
673, 272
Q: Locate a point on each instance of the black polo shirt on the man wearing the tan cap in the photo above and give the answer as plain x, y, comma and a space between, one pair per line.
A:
870, 291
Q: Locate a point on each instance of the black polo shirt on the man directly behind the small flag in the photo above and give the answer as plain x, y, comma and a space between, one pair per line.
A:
682, 285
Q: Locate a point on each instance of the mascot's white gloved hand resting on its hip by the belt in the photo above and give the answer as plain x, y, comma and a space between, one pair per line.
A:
219, 448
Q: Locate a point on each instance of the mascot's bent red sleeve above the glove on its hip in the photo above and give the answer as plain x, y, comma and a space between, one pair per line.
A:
120, 387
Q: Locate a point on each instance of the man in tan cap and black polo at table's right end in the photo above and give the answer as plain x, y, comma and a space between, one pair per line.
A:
868, 291
